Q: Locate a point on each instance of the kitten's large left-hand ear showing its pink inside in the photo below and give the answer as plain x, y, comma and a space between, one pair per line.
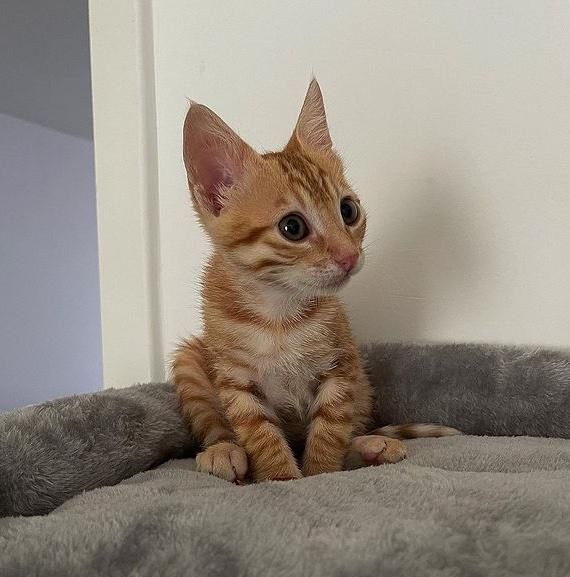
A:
215, 158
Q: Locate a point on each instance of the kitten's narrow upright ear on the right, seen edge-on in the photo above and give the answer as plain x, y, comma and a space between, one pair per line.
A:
312, 128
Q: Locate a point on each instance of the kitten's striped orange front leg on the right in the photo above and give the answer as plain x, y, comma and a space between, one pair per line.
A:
331, 427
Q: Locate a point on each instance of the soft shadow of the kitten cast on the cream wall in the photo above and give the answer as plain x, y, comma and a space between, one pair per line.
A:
426, 254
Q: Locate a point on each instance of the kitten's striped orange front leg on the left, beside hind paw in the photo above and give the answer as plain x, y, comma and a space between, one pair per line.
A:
258, 432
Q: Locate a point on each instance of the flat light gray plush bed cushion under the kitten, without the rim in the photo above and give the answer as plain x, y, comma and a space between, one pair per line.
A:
457, 507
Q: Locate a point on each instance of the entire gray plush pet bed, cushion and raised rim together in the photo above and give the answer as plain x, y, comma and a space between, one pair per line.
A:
487, 505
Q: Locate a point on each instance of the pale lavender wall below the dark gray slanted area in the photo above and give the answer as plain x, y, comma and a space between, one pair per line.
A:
50, 332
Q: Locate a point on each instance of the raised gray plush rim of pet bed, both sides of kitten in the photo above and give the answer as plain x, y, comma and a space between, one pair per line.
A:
51, 452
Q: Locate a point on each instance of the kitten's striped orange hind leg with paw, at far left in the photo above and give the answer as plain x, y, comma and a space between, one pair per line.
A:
200, 407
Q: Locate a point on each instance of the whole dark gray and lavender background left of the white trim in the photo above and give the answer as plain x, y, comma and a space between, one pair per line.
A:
50, 331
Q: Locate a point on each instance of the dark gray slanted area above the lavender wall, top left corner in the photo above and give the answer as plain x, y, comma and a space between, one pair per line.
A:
44, 64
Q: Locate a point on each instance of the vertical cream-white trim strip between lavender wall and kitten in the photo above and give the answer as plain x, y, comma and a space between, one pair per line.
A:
127, 191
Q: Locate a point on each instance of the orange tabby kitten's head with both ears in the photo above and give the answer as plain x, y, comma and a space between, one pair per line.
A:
289, 219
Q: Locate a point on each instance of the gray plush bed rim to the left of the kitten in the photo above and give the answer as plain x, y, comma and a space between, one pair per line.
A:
52, 451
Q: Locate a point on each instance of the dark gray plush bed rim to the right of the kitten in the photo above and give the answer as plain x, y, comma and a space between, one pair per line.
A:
479, 389
